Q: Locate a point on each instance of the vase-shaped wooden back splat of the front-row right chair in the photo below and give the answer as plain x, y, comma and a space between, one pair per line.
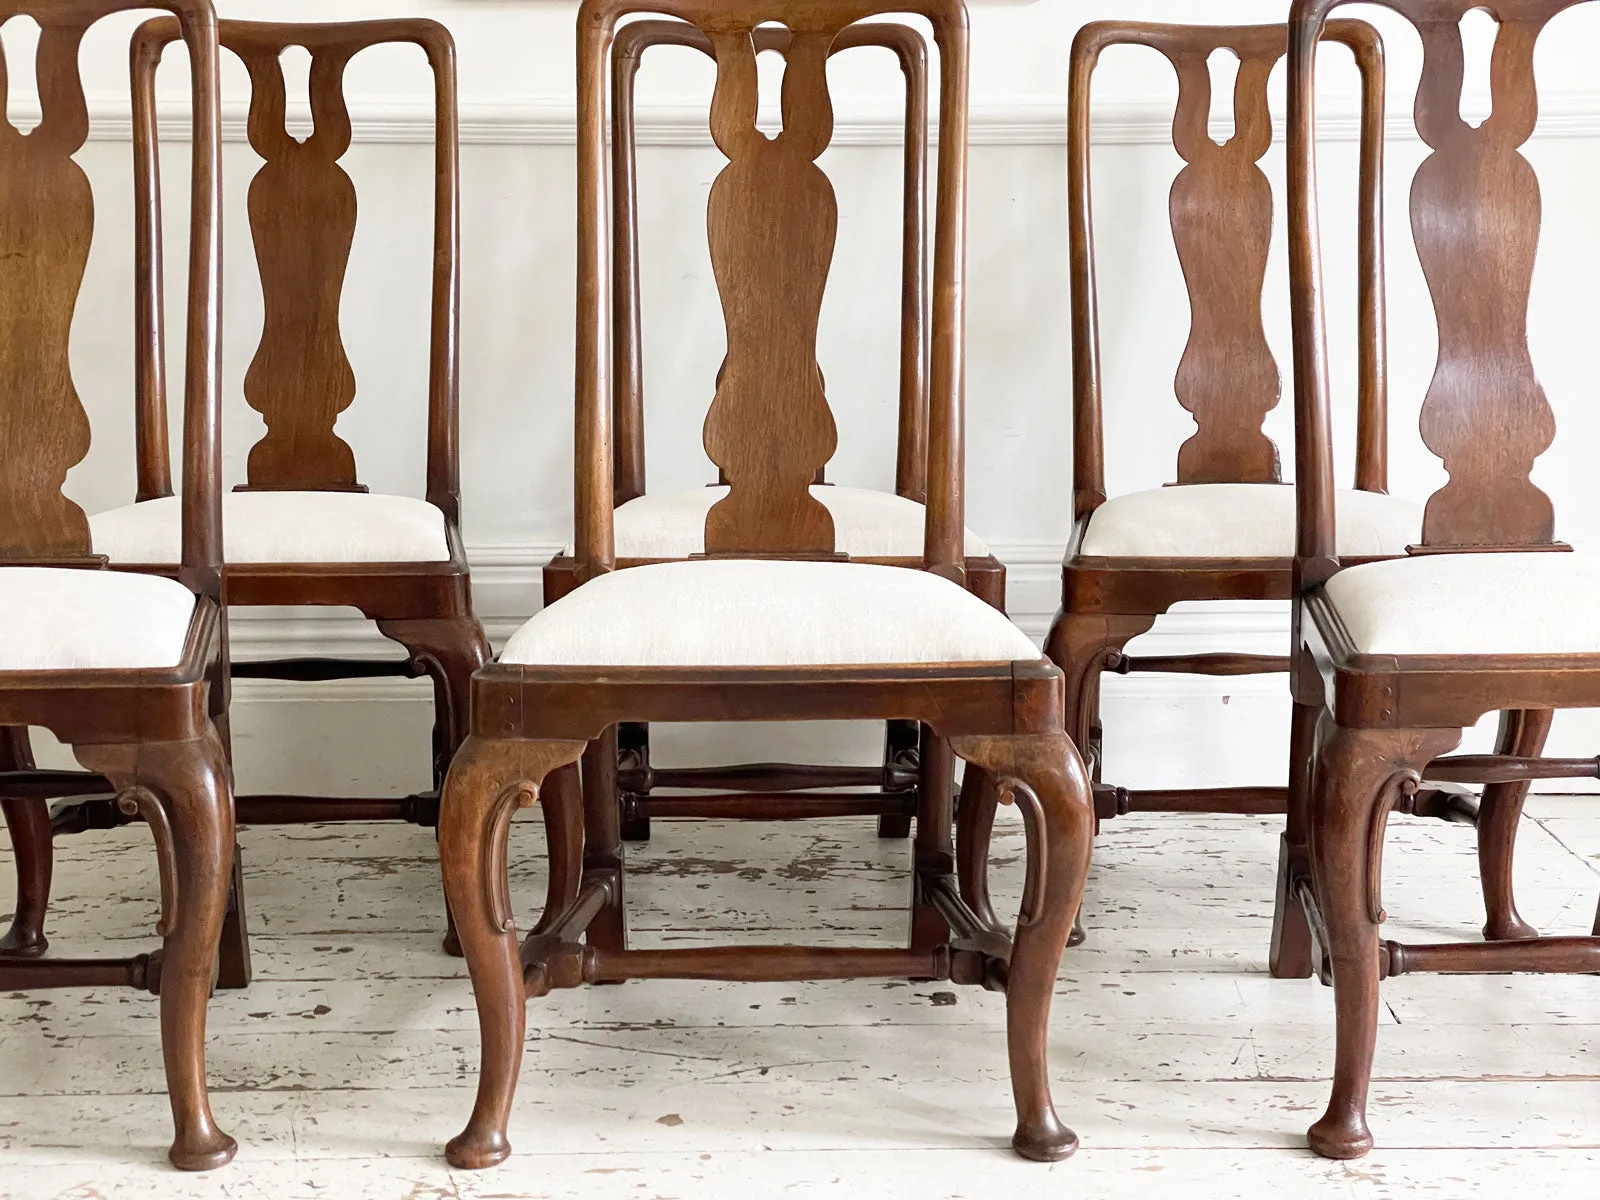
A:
1476, 223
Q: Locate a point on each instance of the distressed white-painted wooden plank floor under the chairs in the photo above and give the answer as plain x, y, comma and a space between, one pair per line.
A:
1186, 1070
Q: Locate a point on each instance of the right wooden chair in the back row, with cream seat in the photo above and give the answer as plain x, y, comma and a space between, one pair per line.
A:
1225, 529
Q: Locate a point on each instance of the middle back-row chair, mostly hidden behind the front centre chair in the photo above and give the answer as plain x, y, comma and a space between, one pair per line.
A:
871, 526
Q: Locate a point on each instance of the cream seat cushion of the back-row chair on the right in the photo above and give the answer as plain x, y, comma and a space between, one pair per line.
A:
1242, 521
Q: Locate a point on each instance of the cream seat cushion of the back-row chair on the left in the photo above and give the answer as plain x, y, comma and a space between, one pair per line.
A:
284, 527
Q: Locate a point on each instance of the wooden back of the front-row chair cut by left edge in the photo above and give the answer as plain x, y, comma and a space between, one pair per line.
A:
47, 223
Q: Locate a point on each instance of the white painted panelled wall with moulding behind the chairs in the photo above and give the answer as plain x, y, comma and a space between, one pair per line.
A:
518, 330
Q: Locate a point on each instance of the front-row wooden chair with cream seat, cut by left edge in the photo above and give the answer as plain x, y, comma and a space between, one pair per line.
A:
126, 670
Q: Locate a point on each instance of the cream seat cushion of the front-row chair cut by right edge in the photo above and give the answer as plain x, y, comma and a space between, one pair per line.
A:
1473, 604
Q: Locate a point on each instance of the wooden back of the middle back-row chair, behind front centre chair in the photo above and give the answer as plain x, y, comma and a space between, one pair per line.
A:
633, 39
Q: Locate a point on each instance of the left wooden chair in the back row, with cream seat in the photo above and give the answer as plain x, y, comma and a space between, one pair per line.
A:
303, 530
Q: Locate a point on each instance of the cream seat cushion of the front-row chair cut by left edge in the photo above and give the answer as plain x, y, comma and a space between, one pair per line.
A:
55, 618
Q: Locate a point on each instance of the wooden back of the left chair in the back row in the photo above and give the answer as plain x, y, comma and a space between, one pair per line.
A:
303, 222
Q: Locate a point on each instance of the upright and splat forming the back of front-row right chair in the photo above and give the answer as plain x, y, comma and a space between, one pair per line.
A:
1476, 228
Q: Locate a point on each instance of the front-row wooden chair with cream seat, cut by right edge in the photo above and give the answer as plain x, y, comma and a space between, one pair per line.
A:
1487, 612
